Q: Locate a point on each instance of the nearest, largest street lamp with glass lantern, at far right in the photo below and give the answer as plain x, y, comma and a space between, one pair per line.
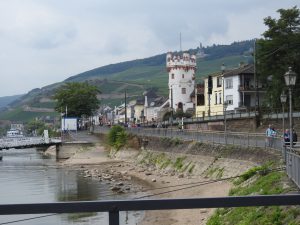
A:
290, 81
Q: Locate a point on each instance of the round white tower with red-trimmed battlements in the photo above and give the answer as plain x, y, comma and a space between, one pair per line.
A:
182, 69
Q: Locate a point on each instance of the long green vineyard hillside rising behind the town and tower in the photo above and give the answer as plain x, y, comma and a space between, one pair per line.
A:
134, 77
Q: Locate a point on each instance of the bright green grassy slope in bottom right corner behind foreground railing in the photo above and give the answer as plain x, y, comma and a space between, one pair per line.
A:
253, 182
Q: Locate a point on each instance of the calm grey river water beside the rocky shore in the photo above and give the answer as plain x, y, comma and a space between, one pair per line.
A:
26, 176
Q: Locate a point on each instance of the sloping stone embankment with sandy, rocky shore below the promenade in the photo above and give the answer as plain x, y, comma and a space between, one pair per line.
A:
163, 163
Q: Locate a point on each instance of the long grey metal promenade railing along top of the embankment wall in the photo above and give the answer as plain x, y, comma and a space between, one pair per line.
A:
255, 140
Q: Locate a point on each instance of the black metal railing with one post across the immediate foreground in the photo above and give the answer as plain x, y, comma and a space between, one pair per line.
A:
114, 207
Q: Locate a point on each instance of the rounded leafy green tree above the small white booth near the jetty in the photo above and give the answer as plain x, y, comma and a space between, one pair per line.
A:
80, 99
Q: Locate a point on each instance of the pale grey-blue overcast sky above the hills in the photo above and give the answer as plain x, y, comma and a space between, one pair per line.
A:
47, 41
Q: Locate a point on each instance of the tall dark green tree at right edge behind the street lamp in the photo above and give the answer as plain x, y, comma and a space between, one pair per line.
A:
278, 50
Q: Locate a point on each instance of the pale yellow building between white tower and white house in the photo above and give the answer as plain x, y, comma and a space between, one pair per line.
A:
211, 104
